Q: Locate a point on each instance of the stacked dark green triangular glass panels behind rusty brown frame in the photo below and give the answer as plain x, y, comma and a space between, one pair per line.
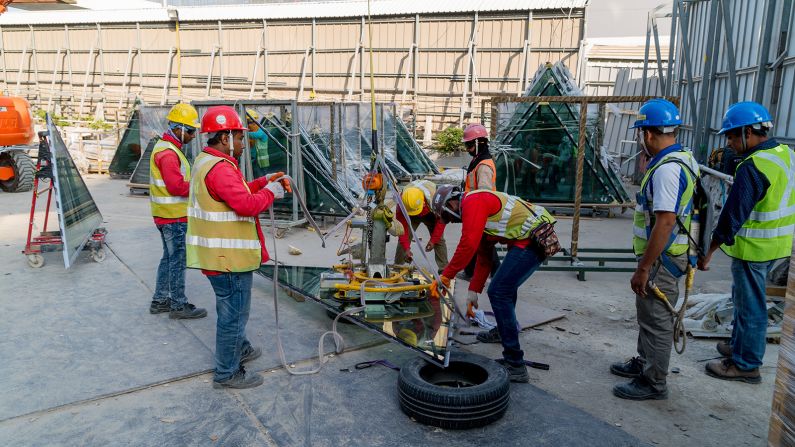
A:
536, 147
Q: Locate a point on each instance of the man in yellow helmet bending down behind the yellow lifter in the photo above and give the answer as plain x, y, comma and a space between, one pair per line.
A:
416, 198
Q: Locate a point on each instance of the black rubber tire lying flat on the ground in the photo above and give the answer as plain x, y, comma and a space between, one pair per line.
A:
471, 392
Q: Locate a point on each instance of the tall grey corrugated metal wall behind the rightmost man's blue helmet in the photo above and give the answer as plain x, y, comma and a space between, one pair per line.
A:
758, 35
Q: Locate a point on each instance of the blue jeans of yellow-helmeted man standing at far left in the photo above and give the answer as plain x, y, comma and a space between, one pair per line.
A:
171, 271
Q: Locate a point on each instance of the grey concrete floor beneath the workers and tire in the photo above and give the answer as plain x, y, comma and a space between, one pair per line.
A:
85, 363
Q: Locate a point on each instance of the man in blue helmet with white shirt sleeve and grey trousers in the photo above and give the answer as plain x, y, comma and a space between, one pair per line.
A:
661, 244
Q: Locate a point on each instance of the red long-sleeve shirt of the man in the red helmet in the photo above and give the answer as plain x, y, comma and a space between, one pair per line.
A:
225, 183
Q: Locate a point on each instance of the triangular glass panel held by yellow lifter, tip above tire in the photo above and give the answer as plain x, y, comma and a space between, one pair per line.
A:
422, 325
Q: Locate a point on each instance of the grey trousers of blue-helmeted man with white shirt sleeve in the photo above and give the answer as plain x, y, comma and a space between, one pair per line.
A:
656, 326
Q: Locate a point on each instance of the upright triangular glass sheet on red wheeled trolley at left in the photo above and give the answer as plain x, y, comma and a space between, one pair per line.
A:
78, 214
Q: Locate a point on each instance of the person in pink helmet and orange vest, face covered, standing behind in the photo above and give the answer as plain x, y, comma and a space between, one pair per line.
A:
481, 174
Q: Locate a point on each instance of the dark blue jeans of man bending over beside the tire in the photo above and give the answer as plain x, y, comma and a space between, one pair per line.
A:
516, 267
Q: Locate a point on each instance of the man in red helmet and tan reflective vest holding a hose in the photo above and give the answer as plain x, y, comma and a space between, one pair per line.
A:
225, 240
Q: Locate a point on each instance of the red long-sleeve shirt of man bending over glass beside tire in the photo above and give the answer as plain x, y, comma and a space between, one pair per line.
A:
475, 211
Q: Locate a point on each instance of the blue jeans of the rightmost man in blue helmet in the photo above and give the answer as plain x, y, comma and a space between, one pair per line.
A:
750, 313
